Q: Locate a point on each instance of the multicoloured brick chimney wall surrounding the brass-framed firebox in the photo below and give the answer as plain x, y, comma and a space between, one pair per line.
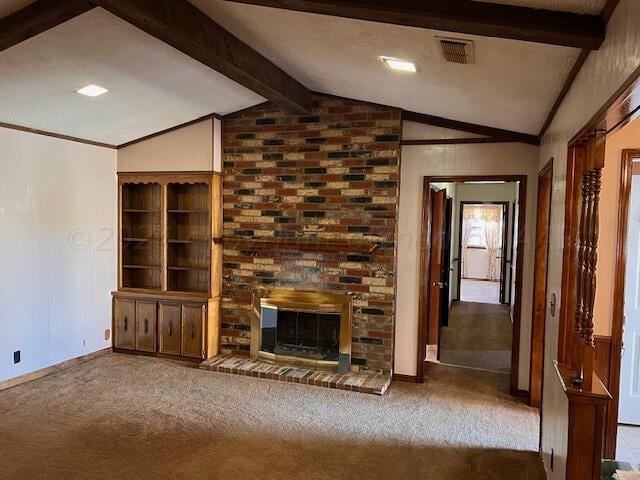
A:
310, 204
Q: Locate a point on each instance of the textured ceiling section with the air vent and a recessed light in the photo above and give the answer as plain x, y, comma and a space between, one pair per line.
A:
512, 85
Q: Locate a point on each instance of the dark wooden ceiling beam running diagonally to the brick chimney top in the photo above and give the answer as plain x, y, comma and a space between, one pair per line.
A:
187, 29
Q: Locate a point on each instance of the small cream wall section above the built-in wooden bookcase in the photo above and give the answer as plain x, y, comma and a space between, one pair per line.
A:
191, 148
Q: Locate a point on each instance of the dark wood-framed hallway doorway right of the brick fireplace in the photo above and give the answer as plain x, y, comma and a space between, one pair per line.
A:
439, 315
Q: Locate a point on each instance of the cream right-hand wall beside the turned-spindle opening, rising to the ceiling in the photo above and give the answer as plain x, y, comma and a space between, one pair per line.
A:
602, 74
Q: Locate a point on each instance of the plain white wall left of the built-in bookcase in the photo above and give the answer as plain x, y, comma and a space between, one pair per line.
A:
58, 210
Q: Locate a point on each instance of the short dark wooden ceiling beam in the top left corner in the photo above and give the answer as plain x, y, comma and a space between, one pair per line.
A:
38, 17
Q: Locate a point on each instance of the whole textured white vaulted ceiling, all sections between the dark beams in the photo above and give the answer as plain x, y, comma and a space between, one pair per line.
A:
511, 85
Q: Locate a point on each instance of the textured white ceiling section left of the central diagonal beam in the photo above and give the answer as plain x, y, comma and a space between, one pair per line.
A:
152, 86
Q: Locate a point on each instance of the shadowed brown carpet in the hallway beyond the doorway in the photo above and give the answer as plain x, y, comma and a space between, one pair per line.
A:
479, 335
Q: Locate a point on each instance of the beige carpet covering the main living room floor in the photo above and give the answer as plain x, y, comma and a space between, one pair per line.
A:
129, 417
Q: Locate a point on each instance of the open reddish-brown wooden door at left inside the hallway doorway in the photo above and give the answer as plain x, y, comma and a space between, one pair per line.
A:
435, 267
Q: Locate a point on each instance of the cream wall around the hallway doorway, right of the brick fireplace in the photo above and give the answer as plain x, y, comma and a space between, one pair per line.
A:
483, 159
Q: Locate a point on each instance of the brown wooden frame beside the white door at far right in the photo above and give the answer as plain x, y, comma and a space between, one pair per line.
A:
615, 359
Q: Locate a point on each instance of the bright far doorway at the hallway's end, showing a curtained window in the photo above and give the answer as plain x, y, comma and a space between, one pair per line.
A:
482, 241
